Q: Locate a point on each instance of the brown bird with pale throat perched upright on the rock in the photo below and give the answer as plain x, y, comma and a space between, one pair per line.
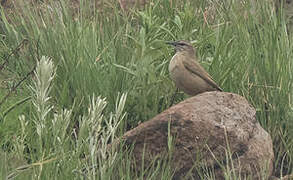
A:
186, 72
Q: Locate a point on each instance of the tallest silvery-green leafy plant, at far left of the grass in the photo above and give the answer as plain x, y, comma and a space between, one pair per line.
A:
50, 130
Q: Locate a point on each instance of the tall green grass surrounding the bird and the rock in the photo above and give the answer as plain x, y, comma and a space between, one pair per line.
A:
104, 53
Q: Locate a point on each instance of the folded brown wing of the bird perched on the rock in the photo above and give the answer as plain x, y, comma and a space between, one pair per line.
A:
199, 71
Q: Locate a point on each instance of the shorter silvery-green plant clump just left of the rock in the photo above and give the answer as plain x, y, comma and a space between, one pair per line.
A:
95, 134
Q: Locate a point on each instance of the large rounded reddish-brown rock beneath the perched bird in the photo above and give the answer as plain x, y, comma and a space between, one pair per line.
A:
201, 128
